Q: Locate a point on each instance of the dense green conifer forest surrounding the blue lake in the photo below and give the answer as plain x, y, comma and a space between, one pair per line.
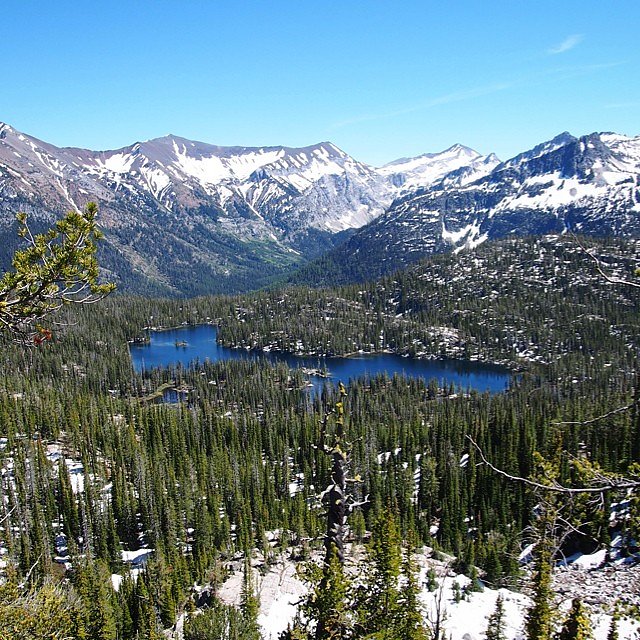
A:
93, 465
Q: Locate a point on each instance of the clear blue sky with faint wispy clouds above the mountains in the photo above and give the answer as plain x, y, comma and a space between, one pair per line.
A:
381, 80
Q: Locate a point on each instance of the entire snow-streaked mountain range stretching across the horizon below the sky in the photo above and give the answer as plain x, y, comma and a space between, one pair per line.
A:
183, 217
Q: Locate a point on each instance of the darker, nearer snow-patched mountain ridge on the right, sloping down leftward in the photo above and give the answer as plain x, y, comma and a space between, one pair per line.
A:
588, 185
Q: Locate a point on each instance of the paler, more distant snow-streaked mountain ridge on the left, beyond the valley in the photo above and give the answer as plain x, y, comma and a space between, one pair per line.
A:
235, 216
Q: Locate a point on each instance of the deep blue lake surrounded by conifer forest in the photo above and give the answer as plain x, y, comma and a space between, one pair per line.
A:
201, 345
